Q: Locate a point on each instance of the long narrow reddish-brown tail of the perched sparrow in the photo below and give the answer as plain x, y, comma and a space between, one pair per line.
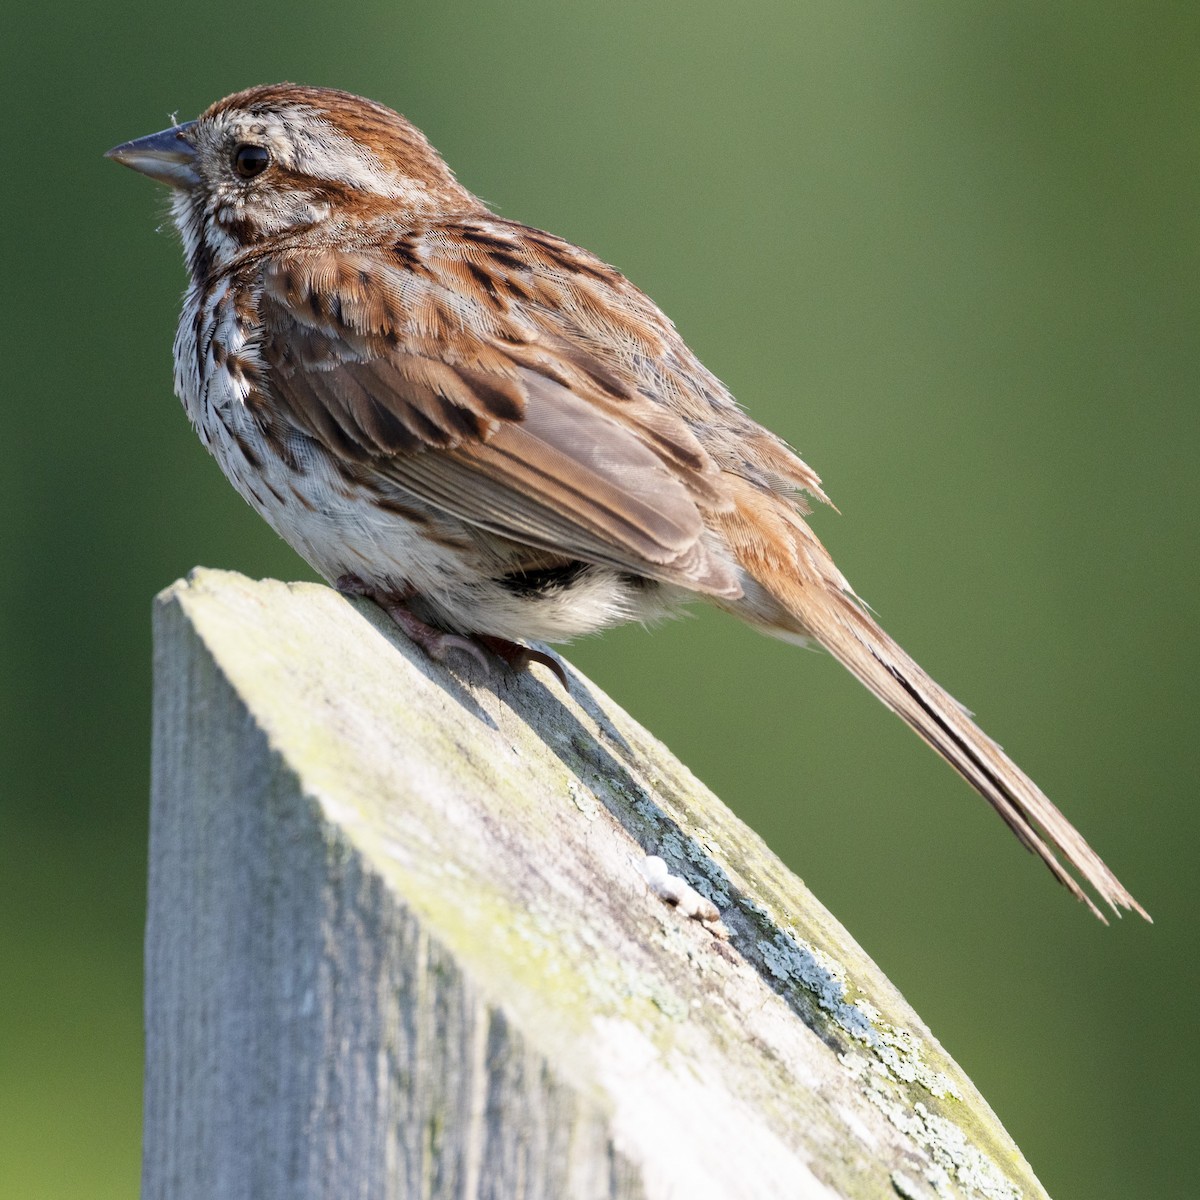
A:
819, 604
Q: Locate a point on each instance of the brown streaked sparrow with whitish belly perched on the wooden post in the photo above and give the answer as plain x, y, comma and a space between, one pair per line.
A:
489, 430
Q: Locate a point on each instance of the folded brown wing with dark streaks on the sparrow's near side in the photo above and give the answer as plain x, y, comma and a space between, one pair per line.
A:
517, 451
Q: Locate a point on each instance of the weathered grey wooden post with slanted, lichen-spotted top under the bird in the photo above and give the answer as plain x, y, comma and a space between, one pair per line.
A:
401, 945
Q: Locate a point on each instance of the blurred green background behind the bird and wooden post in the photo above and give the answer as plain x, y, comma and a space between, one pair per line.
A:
950, 251
